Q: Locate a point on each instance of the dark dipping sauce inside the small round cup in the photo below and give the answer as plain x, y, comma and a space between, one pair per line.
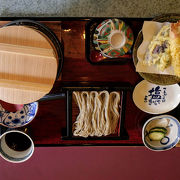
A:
17, 141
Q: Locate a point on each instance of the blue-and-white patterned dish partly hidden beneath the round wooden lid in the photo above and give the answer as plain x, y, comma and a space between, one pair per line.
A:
19, 118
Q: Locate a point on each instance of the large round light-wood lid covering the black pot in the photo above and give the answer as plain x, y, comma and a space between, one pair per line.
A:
28, 65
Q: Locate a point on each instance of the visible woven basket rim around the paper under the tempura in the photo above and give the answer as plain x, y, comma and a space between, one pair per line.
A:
160, 79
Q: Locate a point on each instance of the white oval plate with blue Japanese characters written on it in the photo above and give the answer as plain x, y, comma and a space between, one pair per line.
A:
156, 99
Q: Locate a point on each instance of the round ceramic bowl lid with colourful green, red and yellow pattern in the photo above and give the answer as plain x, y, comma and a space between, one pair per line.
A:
113, 38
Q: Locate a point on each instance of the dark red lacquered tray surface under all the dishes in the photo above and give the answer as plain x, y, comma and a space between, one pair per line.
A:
50, 124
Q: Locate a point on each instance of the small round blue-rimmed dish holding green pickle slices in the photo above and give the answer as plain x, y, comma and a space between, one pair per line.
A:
170, 139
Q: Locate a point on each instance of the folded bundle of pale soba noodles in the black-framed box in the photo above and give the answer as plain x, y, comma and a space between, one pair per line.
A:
98, 114
